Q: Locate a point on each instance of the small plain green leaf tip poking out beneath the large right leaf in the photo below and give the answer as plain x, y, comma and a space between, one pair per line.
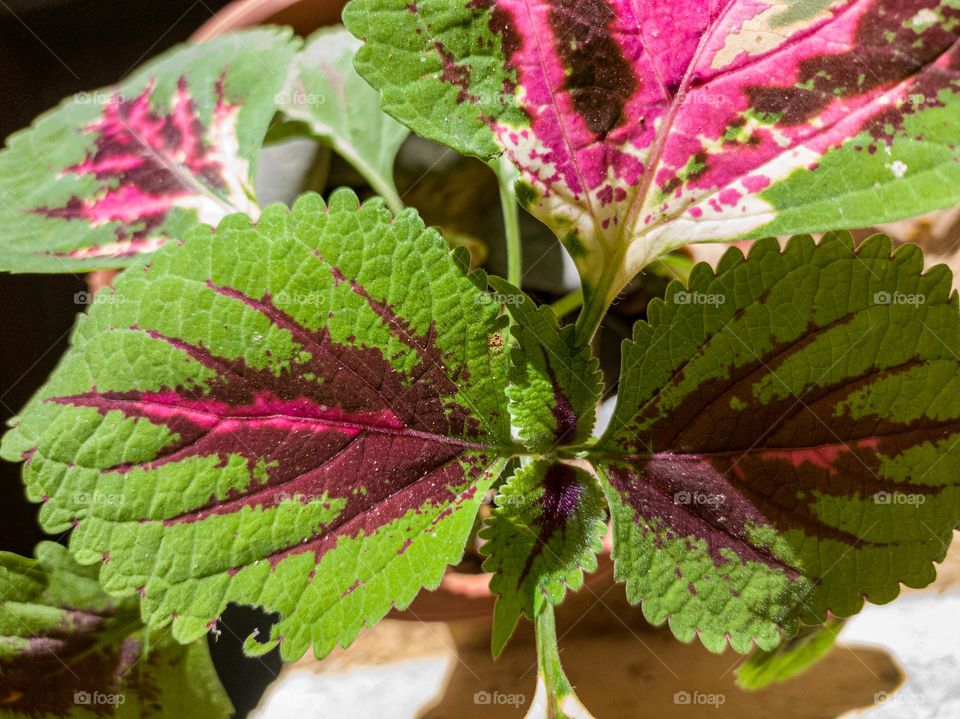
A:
791, 658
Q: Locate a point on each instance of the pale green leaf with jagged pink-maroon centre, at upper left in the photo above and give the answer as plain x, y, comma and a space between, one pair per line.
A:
114, 174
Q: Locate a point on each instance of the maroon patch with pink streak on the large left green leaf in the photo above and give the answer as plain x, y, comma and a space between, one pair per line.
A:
342, 419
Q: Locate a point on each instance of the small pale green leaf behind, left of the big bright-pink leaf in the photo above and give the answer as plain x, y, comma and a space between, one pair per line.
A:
325, 93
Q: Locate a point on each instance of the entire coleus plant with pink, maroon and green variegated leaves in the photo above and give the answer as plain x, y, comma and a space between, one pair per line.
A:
304, 408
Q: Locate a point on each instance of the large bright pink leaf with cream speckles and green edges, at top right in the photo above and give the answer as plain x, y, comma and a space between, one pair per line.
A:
642, 126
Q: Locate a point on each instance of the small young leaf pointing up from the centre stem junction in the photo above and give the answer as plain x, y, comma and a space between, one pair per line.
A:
554, 383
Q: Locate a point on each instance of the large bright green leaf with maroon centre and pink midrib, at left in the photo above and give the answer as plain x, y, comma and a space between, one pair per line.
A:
302, 414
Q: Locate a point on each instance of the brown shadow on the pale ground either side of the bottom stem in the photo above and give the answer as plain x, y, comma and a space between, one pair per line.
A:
622, 667
